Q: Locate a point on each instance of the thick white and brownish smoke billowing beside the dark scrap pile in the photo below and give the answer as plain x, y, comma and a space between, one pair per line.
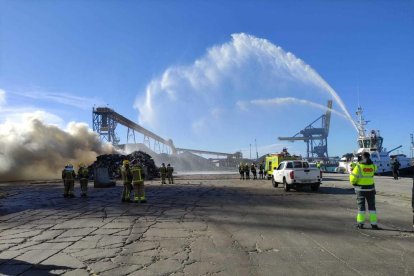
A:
31, 149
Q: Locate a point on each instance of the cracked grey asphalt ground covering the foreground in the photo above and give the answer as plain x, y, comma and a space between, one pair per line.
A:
204, 225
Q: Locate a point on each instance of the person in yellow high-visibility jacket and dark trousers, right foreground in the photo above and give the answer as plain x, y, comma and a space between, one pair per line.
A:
362, 178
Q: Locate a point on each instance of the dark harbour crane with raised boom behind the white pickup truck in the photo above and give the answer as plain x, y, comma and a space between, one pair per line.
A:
315, 137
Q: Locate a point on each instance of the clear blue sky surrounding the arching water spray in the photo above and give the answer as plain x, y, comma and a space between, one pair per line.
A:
64, 56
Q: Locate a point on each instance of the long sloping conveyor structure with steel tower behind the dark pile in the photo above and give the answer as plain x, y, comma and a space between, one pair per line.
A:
105, 121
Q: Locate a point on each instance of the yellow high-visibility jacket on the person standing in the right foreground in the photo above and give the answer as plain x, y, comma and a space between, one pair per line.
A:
363, 176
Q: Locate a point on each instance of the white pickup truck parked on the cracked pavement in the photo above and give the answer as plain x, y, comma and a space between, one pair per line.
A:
295, 174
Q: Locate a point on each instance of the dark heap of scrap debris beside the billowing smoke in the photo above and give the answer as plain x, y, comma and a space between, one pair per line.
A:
114, 161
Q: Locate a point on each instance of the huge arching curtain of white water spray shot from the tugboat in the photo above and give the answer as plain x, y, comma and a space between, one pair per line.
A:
210, 97
